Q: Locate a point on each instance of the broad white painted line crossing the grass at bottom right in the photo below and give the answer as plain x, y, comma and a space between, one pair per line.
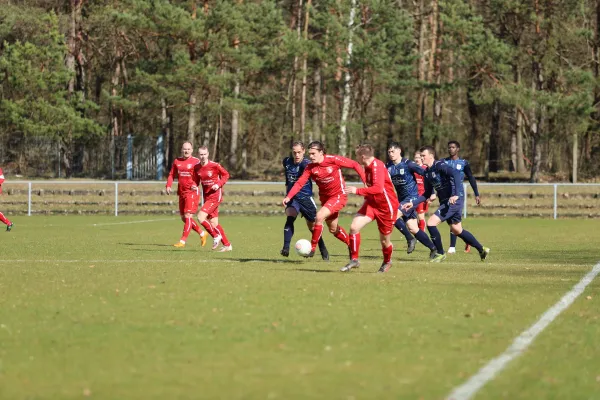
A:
468, 389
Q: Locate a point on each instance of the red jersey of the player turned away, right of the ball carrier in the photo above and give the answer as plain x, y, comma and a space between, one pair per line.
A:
380, 192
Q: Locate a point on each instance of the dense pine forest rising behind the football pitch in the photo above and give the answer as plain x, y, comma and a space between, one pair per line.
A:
516, 82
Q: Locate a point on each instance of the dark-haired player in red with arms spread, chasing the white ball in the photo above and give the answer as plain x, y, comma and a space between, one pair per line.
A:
325, 171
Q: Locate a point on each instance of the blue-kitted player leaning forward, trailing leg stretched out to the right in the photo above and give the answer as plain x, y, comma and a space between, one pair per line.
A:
443, 178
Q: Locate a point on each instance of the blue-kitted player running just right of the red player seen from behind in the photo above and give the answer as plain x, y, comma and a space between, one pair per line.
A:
402, 172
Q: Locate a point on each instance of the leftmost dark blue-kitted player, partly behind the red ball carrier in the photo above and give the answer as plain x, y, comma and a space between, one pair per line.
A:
302, 203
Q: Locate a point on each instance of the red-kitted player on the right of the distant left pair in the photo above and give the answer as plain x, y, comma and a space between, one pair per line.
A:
212, 176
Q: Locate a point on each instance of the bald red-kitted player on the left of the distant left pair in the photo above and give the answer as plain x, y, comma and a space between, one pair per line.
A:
182, 170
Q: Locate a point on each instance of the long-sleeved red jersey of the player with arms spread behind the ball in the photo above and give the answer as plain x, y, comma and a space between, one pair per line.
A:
328, 176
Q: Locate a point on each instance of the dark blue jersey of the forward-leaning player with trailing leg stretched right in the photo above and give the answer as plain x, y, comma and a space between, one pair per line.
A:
443, 178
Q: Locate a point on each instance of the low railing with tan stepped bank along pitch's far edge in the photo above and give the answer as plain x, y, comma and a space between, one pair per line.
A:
552, 200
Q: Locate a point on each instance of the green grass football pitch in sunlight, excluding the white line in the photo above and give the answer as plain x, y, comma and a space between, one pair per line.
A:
104, 307
